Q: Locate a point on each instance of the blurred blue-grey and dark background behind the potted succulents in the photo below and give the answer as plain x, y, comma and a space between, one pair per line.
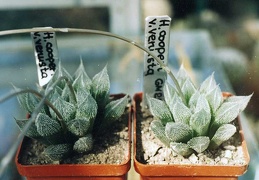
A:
207, 35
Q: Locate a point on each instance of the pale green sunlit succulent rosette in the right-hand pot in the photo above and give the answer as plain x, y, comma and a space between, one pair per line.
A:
198, 120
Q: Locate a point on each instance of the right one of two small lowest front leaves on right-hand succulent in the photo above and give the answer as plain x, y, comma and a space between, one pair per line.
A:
199, 144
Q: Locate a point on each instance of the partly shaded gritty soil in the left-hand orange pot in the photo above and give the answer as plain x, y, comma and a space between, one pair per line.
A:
112, 147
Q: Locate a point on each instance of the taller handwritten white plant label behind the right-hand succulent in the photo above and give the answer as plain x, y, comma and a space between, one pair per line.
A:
157, 32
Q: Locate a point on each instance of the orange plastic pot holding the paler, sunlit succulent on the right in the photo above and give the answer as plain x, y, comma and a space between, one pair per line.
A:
186, 172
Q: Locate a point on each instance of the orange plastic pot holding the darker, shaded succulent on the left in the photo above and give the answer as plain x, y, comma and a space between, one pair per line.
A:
77, 171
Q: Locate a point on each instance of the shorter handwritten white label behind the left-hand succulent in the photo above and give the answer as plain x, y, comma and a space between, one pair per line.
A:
46, 55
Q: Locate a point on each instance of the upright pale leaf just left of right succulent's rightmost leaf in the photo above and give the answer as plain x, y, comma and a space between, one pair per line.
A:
214, 98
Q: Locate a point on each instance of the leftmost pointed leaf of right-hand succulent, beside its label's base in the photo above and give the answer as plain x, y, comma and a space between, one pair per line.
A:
159, 110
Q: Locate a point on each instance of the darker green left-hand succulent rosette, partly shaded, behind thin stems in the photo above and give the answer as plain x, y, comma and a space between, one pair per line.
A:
76, 110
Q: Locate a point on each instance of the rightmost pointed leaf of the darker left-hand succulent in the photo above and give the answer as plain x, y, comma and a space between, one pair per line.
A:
115, 109
